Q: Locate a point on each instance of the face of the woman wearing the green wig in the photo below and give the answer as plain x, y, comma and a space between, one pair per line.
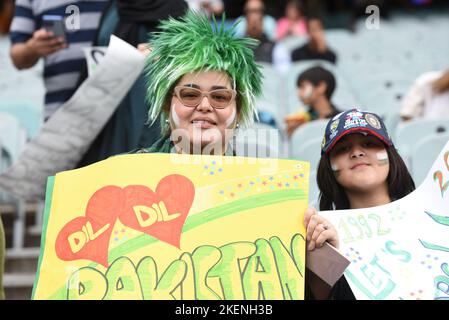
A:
204, 125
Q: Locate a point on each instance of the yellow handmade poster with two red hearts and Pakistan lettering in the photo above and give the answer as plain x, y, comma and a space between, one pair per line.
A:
168, 226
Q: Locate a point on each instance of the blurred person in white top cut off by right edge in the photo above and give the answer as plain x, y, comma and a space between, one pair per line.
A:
428, 97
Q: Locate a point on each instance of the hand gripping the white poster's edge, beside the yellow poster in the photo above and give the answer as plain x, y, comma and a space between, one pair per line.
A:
319, 230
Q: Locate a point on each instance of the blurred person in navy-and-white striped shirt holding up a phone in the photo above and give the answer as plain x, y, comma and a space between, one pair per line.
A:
62, 60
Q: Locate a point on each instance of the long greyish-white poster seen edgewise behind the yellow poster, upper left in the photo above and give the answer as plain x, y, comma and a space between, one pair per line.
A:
66, 136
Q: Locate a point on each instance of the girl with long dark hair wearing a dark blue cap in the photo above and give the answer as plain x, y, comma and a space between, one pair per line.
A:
359, 168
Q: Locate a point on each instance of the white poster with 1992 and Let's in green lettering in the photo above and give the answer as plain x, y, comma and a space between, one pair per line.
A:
400, 250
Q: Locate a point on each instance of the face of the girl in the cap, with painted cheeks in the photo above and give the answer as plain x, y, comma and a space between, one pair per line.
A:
360, 162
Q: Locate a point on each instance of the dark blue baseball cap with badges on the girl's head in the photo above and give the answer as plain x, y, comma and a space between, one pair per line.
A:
351, 121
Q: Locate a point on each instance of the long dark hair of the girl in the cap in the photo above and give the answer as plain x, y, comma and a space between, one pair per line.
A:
333, 195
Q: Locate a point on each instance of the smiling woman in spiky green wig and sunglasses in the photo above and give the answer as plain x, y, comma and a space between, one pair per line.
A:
202, 85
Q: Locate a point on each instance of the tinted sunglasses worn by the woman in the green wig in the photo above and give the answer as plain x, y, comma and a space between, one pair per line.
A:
192, 97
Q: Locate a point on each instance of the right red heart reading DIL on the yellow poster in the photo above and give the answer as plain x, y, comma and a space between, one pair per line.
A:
160, 214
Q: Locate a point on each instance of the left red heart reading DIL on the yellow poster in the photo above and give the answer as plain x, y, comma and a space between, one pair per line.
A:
88, 237
